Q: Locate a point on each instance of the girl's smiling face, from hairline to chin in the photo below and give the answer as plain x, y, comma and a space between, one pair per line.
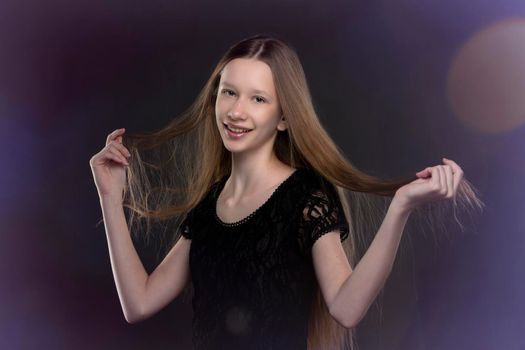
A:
246, 98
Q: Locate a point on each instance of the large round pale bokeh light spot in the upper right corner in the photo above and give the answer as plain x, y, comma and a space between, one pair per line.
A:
486, 80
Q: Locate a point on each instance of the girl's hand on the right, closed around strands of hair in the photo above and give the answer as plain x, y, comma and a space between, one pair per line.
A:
433, 183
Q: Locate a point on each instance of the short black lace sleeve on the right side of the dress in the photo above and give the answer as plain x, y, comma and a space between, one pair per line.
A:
321, 212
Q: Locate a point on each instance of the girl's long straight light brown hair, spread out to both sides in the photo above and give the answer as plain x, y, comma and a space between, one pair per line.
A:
172, 169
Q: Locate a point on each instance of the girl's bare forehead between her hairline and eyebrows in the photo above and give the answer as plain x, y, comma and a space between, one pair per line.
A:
248, 74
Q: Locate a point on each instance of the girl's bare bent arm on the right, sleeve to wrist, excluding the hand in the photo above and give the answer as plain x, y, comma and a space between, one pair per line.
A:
349, 294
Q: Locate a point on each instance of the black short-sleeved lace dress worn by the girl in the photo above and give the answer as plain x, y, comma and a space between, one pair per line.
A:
254, 280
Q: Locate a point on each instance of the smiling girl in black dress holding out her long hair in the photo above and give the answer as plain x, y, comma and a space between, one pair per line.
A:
267, 208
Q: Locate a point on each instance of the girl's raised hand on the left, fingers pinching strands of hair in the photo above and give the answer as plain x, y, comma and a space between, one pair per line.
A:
108, 166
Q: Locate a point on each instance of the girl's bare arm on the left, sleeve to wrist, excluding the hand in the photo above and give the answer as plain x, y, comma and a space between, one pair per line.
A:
141, 295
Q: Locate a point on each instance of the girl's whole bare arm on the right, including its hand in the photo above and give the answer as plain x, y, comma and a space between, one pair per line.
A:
348, 293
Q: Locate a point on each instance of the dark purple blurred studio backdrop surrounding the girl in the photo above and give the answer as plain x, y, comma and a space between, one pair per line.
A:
399, 84
